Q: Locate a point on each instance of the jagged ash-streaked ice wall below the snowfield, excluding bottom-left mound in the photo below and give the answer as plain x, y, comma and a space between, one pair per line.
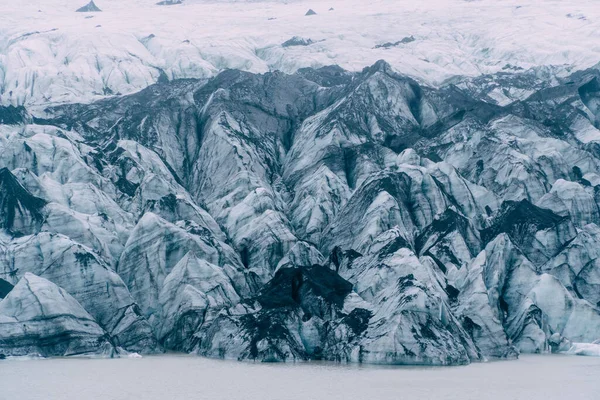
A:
356, 217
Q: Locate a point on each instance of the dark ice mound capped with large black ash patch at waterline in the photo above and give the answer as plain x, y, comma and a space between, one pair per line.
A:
287, 321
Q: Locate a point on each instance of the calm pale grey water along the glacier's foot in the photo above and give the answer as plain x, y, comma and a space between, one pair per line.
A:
170, 377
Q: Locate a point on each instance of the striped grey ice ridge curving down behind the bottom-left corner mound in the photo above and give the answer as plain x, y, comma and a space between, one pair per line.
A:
85, 276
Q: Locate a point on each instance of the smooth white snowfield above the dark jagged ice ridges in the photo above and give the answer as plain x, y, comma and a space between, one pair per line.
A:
50, 54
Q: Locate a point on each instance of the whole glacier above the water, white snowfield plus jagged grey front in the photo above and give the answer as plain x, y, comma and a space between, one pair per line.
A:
294, 197
